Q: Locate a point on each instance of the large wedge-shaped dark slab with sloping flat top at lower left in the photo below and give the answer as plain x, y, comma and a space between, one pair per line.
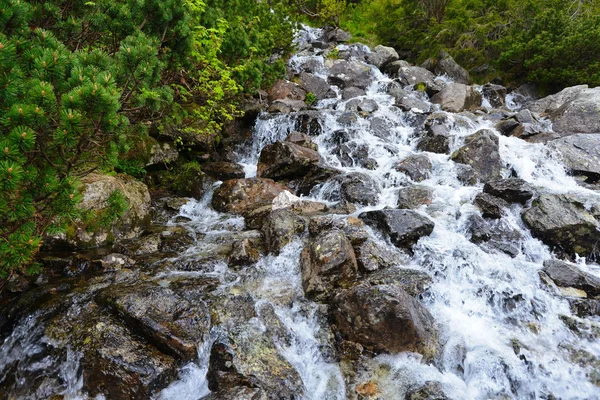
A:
166, 320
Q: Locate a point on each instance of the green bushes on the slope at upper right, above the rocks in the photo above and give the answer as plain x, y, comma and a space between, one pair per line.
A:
552, 43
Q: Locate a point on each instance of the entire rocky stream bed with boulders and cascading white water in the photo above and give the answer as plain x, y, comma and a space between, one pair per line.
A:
409, 236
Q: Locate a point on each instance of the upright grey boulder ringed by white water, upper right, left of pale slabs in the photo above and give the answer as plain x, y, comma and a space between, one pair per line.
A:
482, 153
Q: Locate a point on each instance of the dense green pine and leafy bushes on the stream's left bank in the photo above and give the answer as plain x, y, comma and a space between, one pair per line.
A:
83, 81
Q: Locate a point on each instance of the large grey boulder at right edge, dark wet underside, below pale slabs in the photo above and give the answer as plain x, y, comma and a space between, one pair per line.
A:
564, 223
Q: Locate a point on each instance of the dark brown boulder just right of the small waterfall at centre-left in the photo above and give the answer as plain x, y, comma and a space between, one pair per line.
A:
283, 160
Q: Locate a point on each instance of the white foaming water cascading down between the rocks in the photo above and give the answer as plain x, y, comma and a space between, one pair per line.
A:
485, 302
